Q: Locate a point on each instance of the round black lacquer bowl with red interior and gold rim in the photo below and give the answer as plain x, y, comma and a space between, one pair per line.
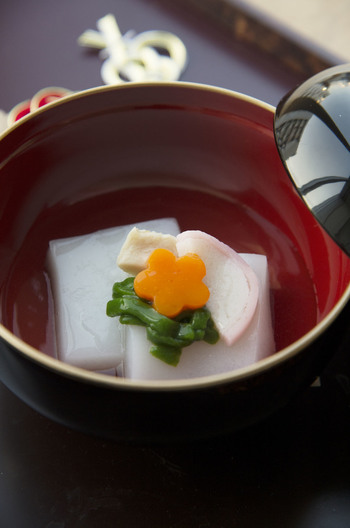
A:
118, 155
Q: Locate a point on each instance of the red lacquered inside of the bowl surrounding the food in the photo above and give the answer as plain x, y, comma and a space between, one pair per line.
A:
114, 156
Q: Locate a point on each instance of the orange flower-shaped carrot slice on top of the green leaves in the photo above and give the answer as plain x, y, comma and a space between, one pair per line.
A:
172, 284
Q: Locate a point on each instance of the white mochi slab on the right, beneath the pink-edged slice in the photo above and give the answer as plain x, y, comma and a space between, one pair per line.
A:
202, 359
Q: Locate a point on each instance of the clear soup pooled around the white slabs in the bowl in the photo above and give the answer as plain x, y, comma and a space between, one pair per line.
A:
28, 305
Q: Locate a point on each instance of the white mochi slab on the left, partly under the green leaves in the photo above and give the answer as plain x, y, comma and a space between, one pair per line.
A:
82, 271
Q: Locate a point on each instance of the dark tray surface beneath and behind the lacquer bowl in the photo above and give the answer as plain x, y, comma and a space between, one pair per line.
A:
291, 471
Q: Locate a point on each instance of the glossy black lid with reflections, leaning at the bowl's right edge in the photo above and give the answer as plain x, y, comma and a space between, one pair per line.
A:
313, 137
